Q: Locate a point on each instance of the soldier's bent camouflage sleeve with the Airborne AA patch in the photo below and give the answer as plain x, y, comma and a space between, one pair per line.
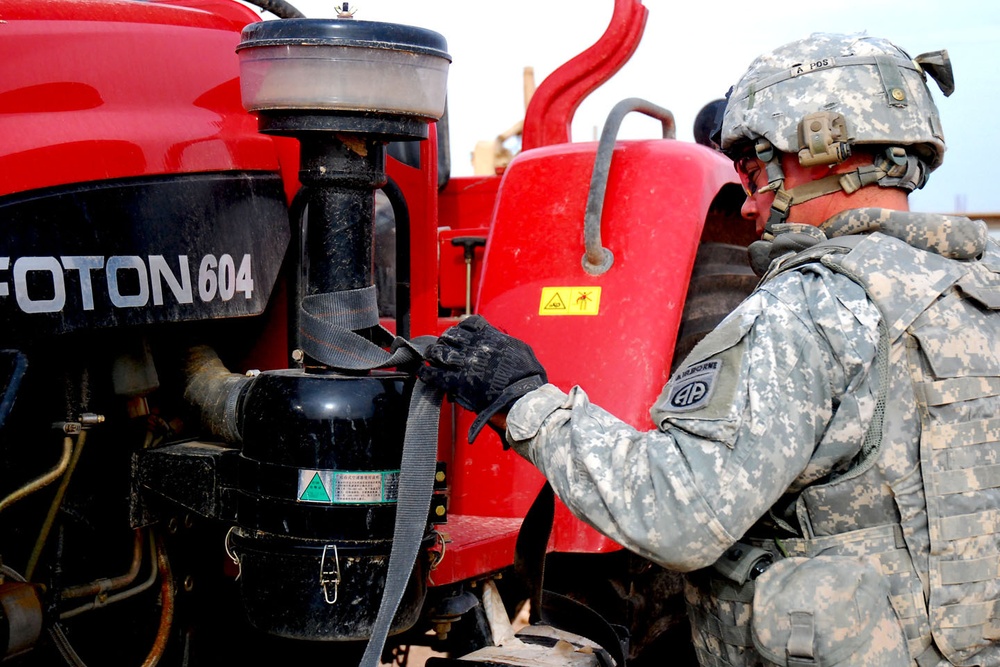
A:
779, 390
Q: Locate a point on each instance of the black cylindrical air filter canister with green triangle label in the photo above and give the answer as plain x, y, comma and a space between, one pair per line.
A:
319, 473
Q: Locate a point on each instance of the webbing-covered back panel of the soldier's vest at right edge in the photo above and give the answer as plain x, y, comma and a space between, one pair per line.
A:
957, 388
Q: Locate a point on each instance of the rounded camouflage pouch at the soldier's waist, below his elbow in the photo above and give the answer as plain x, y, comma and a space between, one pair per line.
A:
826, 611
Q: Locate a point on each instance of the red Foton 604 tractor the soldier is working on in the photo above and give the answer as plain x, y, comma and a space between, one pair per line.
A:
226, 241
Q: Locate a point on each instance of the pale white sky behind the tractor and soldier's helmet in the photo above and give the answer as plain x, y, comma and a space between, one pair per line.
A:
691, 52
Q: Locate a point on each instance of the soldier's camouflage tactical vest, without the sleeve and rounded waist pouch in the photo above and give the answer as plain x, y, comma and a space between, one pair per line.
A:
922, 501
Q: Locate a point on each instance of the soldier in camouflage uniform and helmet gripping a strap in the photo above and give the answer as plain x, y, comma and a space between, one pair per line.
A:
825, 465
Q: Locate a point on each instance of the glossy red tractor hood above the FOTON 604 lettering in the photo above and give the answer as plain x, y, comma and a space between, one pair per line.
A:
99, 105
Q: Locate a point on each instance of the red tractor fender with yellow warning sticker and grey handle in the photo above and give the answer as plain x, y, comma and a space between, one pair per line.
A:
658, 196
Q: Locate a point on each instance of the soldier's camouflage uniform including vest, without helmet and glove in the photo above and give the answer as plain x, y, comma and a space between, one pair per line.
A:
844, 413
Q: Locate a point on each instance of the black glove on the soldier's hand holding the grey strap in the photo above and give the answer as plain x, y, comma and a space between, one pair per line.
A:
481, 369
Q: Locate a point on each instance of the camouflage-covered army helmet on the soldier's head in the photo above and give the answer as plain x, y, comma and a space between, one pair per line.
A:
821, 95
